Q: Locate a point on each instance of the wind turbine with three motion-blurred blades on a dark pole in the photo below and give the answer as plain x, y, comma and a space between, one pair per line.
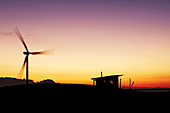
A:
27, 53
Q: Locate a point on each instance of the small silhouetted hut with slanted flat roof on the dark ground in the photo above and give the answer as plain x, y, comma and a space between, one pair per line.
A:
111, 81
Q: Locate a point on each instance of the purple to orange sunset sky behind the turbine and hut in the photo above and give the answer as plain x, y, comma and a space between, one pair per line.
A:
130, 37
